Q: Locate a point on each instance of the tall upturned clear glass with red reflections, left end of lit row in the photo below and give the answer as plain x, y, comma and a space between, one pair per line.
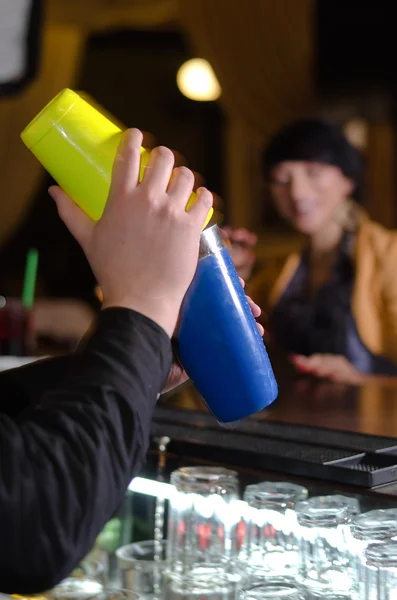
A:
202, 528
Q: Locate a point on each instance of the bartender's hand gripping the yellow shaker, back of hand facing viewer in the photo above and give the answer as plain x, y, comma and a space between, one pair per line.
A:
144, 249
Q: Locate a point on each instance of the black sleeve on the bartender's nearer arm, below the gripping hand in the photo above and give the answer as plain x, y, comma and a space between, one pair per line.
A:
66, 463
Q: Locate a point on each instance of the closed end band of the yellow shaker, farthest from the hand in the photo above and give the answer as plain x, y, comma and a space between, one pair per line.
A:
48, 117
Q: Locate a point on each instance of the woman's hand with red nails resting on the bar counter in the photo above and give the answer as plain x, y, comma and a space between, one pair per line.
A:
328, 366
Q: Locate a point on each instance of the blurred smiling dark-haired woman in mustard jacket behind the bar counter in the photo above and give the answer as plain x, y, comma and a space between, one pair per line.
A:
333, 307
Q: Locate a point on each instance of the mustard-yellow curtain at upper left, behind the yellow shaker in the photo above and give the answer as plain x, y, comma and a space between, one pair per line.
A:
67, 25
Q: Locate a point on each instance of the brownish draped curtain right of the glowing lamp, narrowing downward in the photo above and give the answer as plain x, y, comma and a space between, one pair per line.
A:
262, 54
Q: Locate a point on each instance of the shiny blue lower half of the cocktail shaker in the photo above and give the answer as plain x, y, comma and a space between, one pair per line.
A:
219, 343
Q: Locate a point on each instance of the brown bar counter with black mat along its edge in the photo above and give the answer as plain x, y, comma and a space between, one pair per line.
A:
324, 432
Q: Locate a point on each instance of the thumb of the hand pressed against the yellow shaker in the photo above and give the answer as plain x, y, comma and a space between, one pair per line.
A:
79, 224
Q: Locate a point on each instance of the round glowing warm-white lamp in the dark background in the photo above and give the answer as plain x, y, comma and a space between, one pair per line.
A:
196, 80
